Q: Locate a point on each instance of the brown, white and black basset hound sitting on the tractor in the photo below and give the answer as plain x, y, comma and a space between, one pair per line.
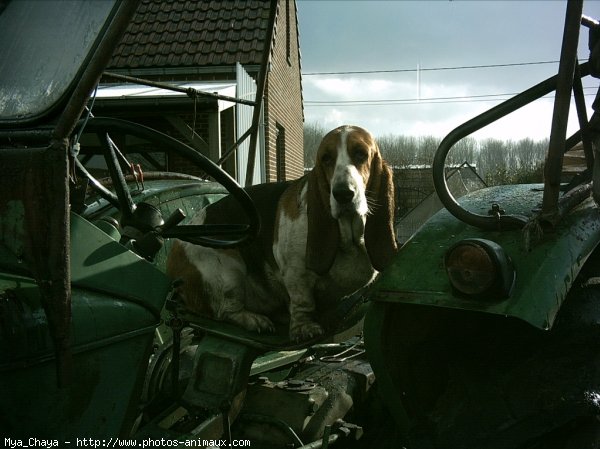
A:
322, 237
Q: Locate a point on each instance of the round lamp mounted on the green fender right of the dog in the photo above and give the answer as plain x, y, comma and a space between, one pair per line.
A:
480, 268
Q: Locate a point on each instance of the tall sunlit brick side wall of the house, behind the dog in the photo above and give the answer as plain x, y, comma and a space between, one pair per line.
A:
283, 97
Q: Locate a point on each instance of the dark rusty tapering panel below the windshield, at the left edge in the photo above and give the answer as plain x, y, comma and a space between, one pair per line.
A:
37, 178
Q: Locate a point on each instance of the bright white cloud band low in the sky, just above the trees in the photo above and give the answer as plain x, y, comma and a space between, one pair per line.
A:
454, 104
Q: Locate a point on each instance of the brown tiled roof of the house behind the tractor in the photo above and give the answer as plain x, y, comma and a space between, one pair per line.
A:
192, 33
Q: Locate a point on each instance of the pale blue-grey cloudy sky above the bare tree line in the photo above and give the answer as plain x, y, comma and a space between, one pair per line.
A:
409, 46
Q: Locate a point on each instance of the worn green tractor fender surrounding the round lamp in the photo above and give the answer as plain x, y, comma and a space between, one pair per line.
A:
546, 265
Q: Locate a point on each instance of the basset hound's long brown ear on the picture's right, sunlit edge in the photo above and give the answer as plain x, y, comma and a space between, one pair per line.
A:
380, 238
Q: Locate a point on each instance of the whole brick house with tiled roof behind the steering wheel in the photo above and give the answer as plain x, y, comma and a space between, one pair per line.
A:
215, 46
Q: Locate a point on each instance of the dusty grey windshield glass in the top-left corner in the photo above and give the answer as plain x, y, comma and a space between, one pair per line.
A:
37, 73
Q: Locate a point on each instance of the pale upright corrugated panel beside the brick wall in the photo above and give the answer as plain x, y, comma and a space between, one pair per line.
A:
246, 89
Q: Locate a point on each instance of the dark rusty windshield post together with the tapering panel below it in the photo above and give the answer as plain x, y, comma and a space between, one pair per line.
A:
38, 178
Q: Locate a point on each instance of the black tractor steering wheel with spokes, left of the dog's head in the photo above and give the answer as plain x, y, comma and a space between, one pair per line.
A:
137, 215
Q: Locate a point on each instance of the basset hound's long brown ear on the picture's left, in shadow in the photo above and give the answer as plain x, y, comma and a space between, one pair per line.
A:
323, 233
